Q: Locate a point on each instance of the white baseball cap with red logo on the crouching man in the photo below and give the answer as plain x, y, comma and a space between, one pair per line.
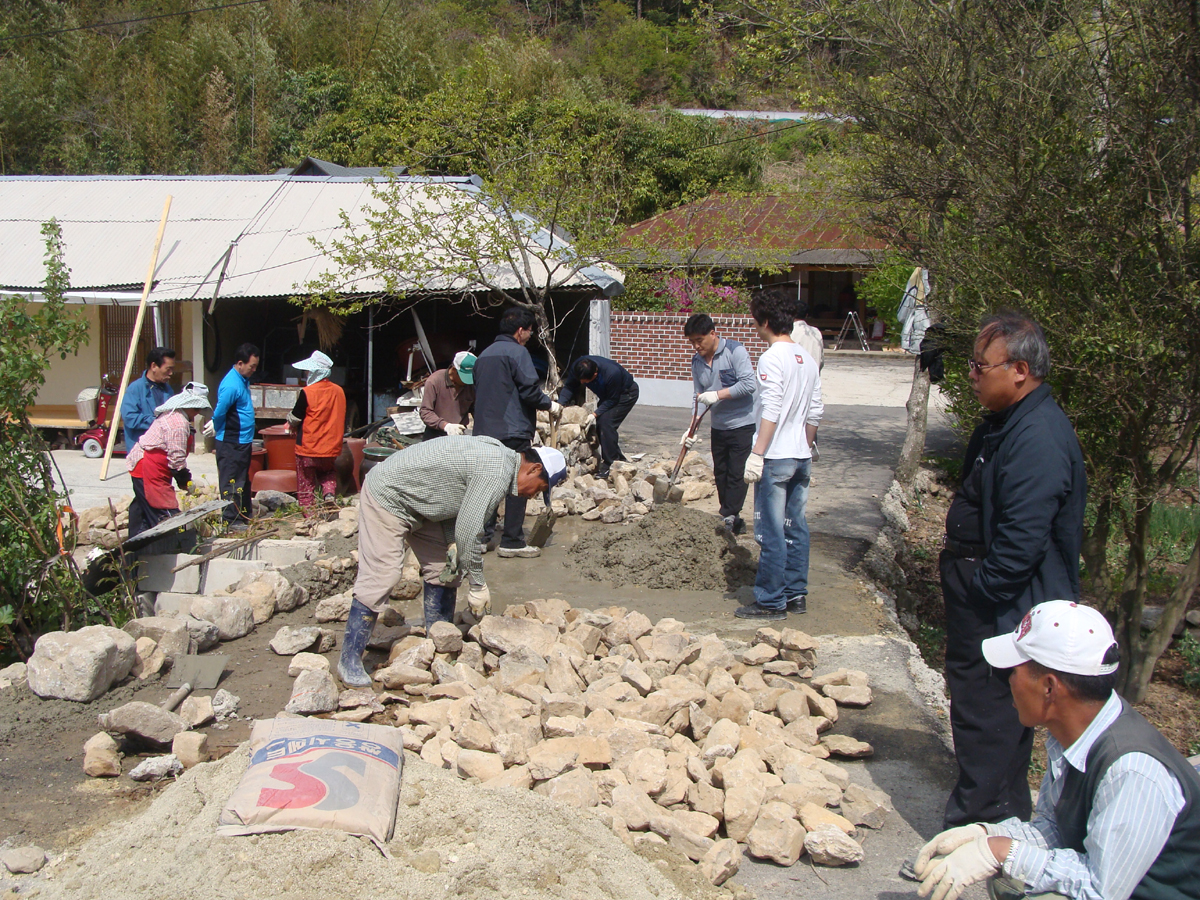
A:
1060, 635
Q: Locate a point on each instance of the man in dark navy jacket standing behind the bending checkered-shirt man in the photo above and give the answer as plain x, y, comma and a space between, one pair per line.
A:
508, 397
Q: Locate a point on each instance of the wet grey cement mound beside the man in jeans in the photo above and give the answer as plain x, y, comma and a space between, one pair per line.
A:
675, 548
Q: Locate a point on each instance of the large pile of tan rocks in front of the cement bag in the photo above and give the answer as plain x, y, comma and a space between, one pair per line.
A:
692, 741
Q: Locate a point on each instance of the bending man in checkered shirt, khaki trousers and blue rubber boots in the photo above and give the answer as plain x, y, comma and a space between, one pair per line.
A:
435, 497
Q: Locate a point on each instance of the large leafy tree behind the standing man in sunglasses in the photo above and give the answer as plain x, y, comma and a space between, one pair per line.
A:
1045, 157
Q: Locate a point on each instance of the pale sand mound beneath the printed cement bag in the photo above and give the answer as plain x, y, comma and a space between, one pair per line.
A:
453, 841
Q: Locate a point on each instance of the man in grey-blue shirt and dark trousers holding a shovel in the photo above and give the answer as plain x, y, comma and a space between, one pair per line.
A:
723, 376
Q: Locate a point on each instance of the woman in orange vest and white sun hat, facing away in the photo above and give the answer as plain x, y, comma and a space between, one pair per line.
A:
320, 422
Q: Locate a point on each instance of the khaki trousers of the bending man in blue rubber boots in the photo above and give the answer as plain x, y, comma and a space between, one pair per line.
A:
383, 541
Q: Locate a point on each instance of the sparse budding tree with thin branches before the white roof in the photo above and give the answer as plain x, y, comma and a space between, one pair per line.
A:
547, 212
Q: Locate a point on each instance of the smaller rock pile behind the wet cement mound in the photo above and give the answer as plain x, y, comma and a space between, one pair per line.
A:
628, 494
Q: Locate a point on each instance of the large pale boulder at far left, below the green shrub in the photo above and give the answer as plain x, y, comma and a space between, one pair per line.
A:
81, 665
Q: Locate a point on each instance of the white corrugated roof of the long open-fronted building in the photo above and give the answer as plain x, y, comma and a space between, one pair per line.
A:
110, 225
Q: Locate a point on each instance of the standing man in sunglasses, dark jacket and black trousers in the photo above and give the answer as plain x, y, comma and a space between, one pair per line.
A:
1013, 537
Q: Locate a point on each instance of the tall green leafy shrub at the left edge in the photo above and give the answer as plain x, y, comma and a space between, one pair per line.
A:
40, 586
